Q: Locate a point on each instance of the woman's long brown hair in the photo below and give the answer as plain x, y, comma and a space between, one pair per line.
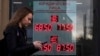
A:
19, 15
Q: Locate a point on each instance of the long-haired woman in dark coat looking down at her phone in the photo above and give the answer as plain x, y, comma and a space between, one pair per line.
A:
15, 34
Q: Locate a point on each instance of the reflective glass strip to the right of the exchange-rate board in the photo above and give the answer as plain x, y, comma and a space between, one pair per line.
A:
84, 31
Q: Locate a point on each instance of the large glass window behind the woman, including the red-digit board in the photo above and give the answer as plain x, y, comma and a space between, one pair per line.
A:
60, 22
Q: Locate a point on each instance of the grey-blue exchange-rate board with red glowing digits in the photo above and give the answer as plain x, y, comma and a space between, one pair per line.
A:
52, 24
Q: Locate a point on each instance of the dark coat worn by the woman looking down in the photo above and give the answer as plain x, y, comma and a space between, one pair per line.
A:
16, 44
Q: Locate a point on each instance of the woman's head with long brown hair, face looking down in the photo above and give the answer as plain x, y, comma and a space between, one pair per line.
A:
22, 16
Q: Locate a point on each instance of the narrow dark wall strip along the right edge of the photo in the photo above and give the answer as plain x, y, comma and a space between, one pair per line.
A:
96, 28
